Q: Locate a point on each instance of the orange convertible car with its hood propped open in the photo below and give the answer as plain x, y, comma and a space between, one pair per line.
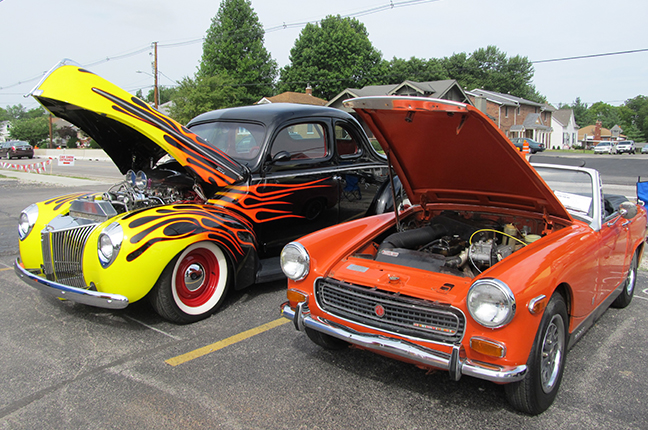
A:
492, 267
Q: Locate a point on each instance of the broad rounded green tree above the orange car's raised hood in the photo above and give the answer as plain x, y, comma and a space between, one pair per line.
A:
332, 56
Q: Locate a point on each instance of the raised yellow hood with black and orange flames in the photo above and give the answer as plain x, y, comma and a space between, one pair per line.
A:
131, 132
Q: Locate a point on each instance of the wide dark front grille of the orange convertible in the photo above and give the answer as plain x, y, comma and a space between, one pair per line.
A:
391, 312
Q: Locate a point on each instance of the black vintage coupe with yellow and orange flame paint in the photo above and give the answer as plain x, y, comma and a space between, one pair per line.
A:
202, 209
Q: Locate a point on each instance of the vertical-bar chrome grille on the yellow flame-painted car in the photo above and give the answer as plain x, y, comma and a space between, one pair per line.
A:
63, 252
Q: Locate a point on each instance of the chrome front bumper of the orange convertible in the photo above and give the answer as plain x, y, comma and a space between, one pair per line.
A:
453, 363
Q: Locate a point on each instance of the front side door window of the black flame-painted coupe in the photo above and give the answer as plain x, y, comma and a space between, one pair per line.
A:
305, 141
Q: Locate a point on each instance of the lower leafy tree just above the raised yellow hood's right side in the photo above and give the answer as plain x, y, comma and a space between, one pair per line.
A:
195, 96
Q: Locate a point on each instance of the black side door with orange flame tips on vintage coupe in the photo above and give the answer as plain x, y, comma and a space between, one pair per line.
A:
298, 178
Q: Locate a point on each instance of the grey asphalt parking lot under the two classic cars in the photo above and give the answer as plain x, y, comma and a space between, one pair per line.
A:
72, 366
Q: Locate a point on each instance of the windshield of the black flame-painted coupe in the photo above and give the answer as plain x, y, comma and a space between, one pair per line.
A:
241, 141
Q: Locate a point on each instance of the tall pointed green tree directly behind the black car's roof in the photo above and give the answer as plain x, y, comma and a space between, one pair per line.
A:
234, 45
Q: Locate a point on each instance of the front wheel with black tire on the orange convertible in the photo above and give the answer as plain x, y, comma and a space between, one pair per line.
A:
537, 391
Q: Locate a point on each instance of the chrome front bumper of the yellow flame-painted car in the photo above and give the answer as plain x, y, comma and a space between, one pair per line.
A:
79, 295
